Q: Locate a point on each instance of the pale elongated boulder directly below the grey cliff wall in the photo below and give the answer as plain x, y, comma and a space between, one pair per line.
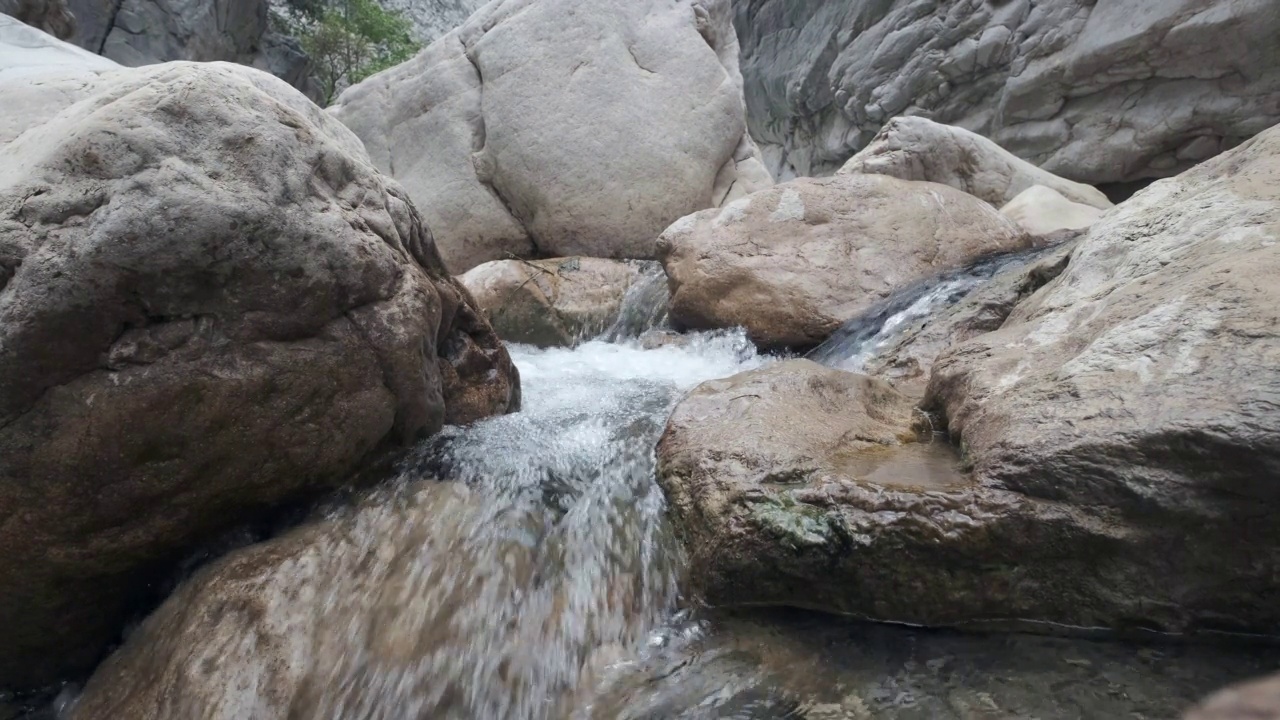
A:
921, 149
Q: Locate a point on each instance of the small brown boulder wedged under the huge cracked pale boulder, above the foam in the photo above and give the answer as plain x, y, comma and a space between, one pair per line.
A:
551, 303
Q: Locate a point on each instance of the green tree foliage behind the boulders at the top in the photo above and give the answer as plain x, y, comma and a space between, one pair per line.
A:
349, 40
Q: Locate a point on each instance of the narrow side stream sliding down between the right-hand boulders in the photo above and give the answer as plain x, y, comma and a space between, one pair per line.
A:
862, 339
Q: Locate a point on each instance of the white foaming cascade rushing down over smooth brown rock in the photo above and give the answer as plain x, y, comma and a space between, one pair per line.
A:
501, 594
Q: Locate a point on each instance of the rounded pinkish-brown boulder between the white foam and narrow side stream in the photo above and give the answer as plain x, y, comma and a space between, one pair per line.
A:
796, 262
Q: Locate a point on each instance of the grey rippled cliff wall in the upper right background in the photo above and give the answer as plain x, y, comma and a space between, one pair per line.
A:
1098, 93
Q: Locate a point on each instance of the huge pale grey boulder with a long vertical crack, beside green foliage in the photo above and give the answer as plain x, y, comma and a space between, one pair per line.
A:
555, 127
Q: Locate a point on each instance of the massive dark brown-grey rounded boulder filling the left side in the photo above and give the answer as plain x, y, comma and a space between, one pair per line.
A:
211, 304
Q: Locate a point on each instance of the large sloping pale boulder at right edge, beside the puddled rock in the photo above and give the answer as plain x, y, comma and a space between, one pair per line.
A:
1140, 390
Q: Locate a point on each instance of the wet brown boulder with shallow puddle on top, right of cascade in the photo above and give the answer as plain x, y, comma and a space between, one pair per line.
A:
803, 486
